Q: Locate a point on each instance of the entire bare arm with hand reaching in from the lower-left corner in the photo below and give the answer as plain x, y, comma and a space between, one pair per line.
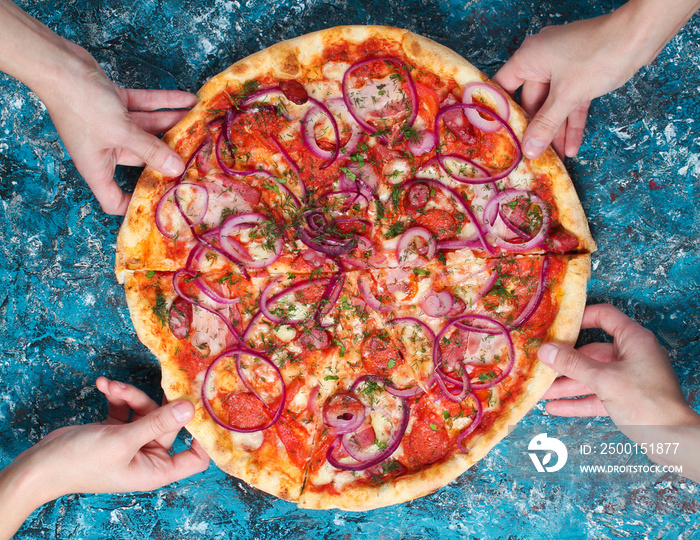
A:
113, 456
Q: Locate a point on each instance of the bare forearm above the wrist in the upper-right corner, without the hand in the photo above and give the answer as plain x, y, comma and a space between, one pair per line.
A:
651, 24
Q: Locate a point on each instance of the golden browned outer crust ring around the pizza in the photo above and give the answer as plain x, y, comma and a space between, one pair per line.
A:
141, 247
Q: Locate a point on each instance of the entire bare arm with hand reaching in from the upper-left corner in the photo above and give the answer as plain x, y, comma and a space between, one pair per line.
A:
100, 124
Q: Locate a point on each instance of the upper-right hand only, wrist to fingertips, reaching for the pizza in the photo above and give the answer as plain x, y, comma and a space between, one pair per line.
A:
561, 70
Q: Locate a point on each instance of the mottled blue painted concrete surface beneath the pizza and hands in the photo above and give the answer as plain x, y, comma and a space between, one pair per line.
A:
63, 318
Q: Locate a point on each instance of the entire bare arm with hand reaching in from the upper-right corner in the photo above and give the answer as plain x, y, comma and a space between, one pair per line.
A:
562, 68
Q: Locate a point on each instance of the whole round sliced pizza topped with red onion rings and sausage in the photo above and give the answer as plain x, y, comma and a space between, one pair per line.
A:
352, 277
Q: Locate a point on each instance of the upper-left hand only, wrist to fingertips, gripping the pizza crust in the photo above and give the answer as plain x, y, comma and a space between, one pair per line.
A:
102, 125
